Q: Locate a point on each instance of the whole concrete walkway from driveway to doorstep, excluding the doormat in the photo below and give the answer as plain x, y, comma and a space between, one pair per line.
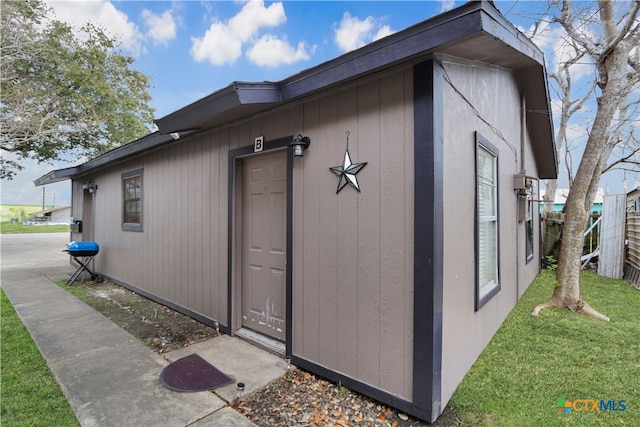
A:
109, 377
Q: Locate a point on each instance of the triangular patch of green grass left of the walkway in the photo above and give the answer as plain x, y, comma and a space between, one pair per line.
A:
30, 395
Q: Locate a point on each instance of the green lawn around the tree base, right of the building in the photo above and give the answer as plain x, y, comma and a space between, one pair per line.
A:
532, 362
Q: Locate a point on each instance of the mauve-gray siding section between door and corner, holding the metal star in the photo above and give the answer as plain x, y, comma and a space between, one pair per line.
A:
353, 252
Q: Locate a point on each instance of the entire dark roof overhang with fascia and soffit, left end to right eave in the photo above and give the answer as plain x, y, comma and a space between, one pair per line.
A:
475, 31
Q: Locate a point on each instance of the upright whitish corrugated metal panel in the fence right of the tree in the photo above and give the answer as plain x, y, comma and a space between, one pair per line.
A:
612, 236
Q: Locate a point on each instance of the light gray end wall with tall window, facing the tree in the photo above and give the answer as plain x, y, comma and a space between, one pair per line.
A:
494, 95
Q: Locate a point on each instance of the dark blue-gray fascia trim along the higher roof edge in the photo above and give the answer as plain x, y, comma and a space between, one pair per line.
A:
419, 40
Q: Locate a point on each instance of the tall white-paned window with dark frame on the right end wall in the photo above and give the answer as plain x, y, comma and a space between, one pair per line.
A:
487, 248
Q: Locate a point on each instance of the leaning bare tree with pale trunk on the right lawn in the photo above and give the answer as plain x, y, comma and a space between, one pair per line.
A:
612, 55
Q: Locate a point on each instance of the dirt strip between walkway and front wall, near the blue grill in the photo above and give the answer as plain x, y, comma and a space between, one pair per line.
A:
158, 326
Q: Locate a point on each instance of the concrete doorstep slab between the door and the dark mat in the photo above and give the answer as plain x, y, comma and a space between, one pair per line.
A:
243, 362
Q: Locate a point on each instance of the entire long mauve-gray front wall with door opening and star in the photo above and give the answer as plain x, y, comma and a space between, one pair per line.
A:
352, 254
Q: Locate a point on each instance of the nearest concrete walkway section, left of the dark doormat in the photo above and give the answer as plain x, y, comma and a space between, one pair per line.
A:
120, 386
